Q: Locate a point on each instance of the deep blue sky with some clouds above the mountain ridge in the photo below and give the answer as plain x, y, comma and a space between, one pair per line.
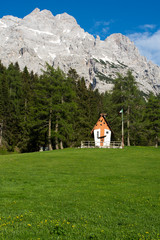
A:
138, 19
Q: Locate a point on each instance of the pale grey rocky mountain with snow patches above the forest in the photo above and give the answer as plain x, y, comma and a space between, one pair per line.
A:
41, 37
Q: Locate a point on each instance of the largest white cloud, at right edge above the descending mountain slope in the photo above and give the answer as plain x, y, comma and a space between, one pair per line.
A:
148, 45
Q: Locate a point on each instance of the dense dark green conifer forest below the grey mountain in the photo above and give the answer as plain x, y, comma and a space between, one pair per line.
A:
57, 110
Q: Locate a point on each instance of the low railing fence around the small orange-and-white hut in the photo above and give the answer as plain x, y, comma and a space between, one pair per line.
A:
93, 144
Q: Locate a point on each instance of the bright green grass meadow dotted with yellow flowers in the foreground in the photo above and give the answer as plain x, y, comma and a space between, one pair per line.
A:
81, 194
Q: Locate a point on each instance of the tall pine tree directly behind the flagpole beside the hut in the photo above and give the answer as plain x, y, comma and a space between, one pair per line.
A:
127, 96
